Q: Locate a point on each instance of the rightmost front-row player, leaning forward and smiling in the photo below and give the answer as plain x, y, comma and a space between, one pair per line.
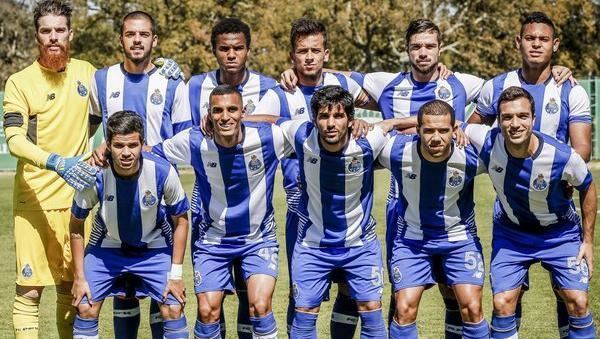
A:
534, 217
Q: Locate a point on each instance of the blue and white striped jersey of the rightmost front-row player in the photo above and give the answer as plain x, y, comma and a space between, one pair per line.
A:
530, 191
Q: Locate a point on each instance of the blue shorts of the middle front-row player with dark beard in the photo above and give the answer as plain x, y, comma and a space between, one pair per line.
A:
312, 270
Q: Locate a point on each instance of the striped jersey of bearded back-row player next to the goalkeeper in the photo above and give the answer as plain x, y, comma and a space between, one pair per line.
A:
162, 103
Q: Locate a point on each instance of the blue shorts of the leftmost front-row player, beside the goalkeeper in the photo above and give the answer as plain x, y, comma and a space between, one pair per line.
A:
145, 272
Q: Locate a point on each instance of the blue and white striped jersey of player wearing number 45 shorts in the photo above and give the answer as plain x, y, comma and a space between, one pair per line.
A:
234, 185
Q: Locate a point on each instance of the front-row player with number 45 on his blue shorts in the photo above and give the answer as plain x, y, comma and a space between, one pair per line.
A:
235, 174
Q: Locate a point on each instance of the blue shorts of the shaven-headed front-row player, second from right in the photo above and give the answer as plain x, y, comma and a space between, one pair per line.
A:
412, 264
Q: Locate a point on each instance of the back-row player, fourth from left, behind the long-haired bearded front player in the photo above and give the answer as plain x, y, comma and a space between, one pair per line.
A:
309, 53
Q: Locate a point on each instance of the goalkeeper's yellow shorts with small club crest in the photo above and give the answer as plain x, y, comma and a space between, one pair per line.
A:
42, 247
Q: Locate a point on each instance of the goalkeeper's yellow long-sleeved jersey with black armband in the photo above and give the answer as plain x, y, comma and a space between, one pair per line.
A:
51, 110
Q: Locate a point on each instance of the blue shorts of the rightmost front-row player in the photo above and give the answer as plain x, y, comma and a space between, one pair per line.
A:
511, 259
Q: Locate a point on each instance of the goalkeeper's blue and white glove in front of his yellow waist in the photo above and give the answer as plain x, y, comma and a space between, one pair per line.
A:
78, 174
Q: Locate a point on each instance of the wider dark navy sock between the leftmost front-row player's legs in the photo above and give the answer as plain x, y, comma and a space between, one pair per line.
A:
126, 317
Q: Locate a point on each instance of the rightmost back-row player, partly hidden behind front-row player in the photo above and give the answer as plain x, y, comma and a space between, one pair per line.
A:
562, 110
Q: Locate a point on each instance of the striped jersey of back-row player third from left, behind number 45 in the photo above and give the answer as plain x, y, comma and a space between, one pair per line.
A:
252, 90
